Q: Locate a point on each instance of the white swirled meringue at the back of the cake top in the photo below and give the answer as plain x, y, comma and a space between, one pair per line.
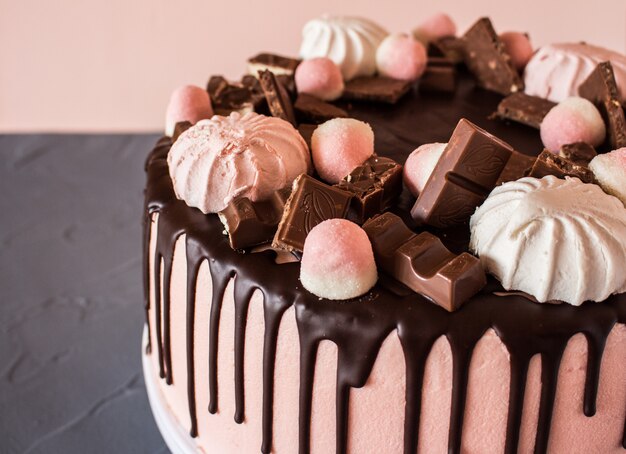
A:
350, 42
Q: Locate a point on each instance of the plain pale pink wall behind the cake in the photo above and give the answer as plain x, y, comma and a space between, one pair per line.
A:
85, 65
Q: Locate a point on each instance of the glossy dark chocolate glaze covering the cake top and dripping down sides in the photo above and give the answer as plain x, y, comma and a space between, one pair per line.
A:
359, 327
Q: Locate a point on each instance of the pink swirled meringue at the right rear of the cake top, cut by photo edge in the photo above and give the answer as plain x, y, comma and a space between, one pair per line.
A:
556, 71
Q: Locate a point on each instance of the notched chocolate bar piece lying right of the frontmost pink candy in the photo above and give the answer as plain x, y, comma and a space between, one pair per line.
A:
422, 262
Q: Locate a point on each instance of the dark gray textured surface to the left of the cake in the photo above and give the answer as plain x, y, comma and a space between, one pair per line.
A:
71, 295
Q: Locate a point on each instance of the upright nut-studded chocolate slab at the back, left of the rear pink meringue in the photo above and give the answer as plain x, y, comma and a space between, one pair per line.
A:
487, 59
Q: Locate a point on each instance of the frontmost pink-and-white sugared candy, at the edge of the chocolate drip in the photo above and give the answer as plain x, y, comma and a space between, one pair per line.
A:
338, 261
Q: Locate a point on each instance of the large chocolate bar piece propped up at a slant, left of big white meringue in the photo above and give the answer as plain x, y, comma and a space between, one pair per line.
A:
469, 168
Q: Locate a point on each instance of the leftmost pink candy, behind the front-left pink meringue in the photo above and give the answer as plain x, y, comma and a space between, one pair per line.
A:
187, 103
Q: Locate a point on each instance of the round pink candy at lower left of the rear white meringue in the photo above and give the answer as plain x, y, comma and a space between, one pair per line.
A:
319, 77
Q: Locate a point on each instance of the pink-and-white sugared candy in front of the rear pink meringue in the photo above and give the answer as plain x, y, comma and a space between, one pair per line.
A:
572, 120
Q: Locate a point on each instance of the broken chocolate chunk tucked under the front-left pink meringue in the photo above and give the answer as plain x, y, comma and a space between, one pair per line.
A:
251, 223
